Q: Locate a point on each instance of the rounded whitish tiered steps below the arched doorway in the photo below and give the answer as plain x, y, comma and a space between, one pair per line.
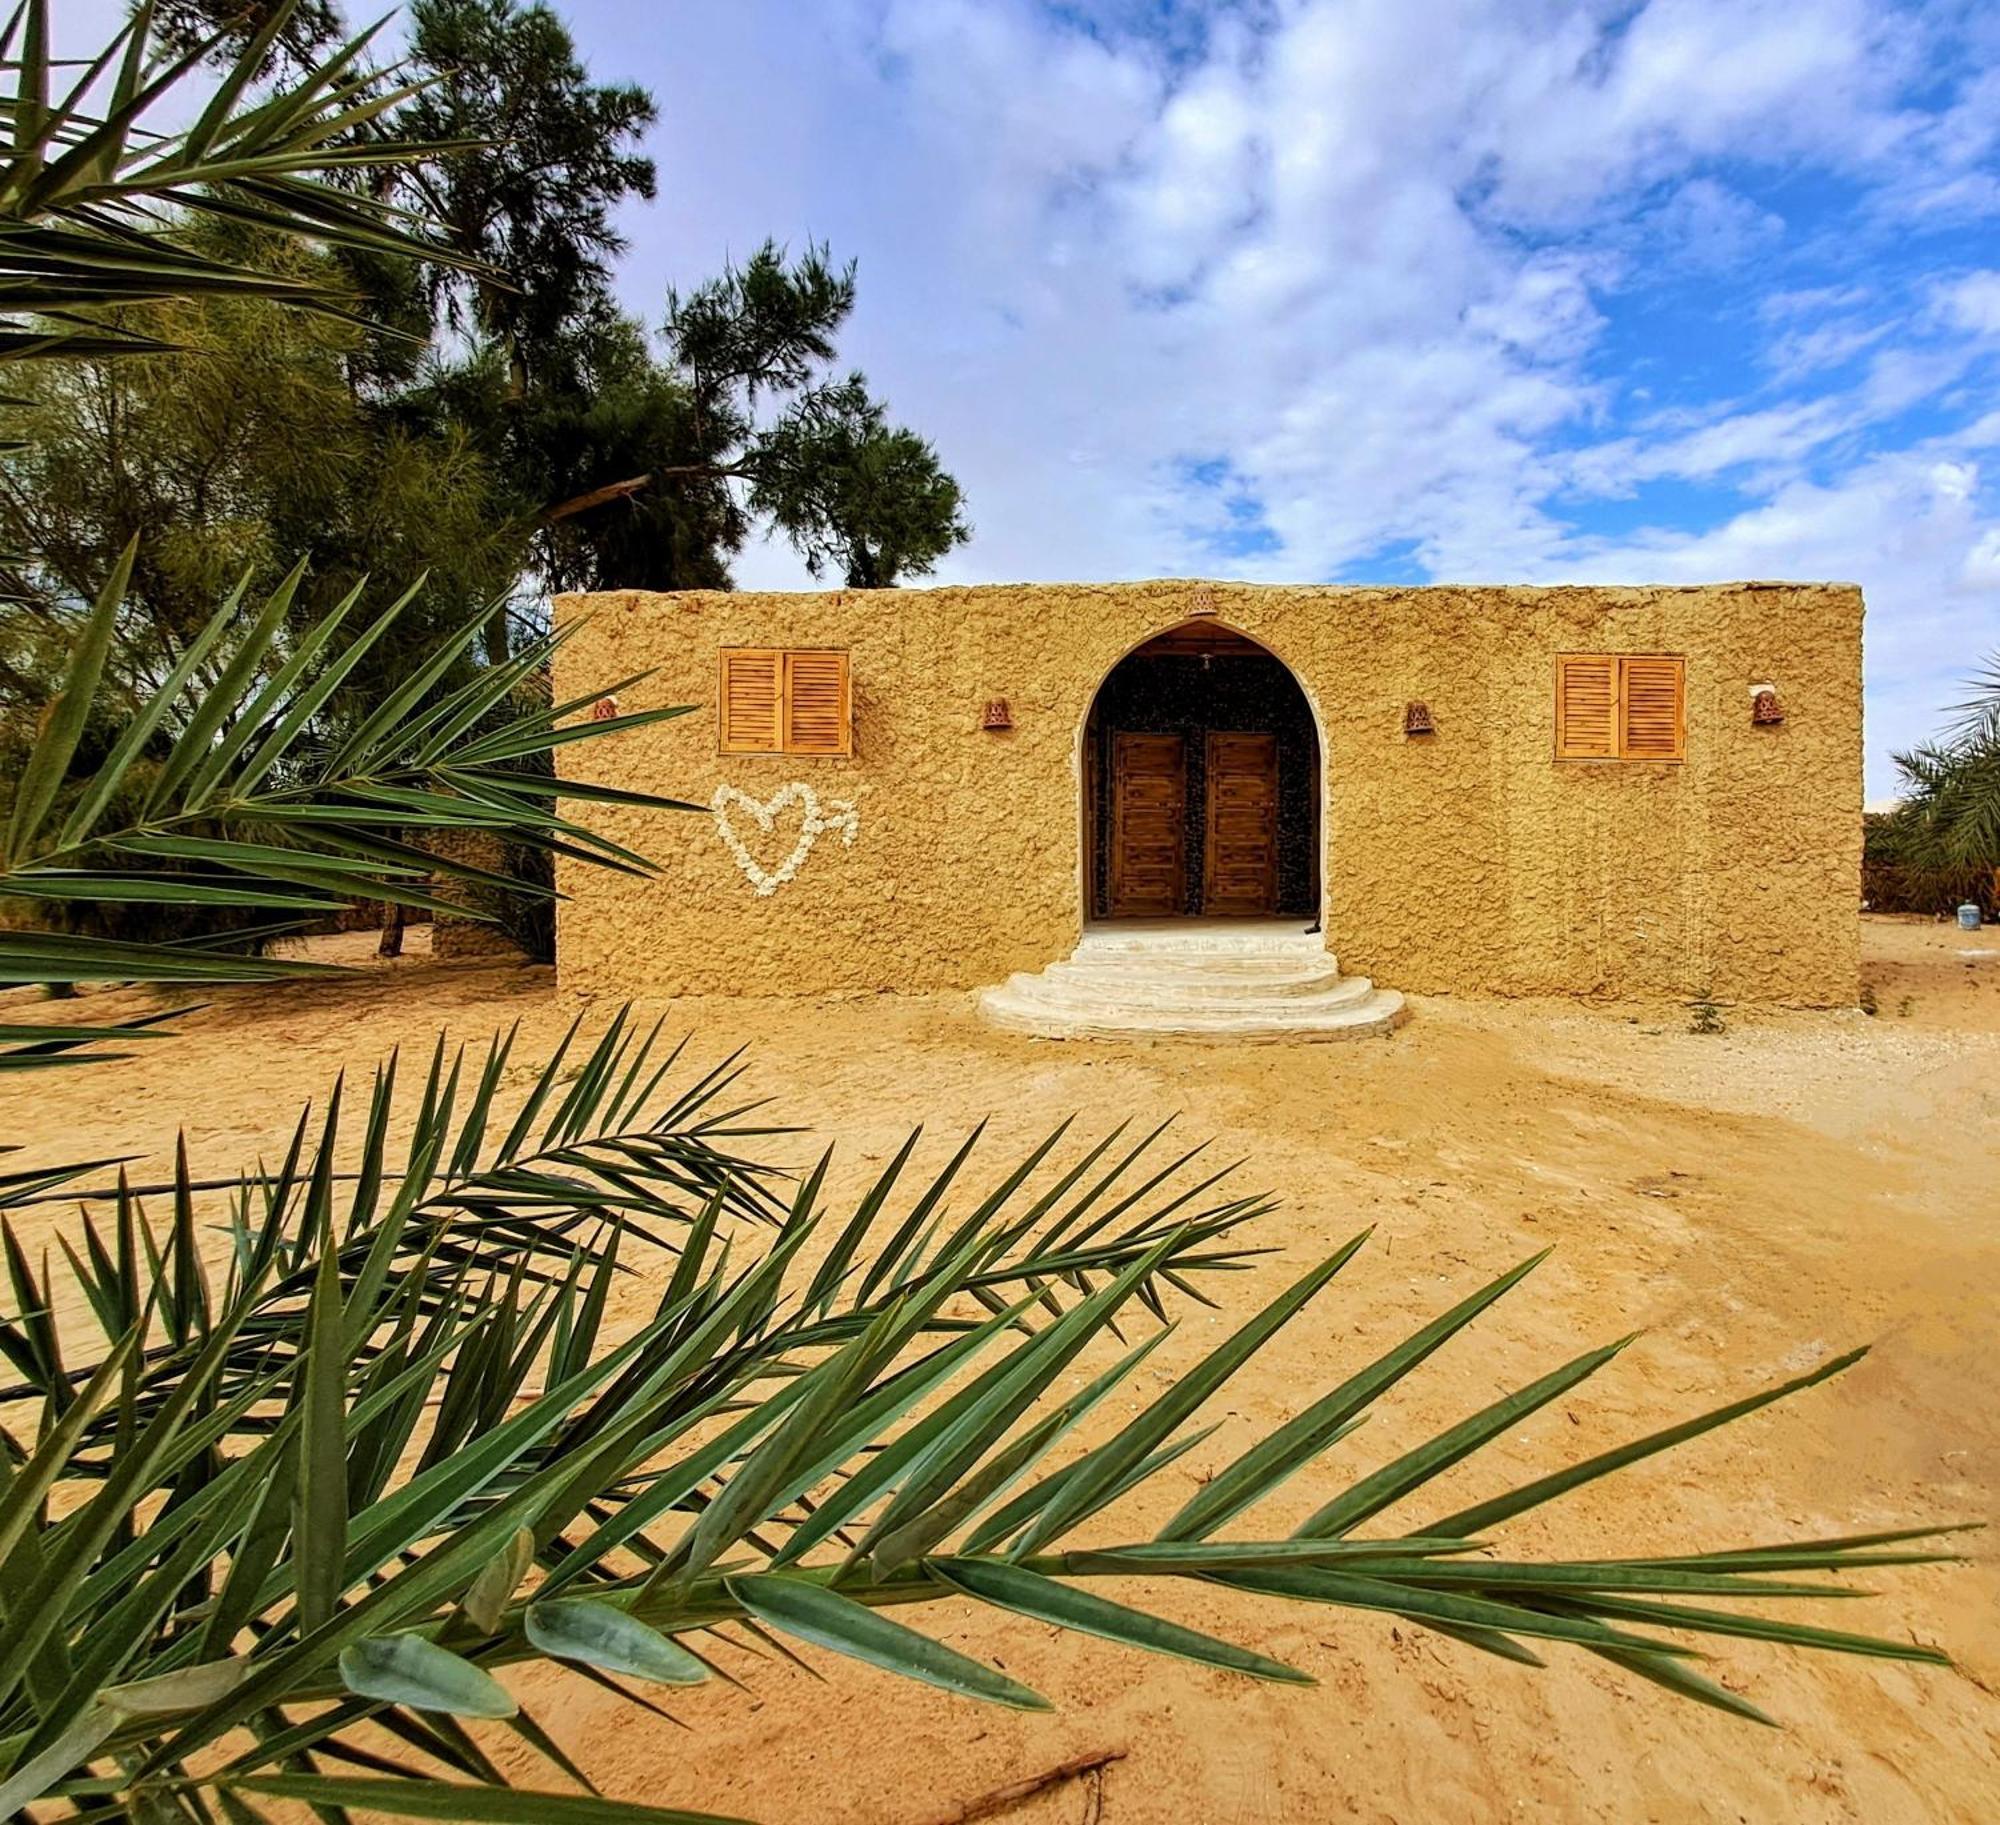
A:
1195, 980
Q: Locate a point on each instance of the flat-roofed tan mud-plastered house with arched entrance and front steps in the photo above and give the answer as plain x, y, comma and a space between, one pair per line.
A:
1175, 805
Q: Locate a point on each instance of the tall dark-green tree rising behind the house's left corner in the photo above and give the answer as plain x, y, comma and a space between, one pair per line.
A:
641, 467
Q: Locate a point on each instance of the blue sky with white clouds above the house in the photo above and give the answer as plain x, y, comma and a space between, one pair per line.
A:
1393, 289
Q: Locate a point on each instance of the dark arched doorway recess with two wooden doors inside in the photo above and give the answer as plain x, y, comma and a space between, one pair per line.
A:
1201, 783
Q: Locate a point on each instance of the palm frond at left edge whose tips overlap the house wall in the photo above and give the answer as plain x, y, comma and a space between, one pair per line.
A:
231, 787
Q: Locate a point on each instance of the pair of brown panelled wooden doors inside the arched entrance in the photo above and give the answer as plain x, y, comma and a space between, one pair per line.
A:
1151, 821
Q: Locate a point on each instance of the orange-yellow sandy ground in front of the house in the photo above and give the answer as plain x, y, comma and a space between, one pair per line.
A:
1751, 1202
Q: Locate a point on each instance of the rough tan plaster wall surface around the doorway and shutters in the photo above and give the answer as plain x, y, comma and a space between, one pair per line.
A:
1465, 863
